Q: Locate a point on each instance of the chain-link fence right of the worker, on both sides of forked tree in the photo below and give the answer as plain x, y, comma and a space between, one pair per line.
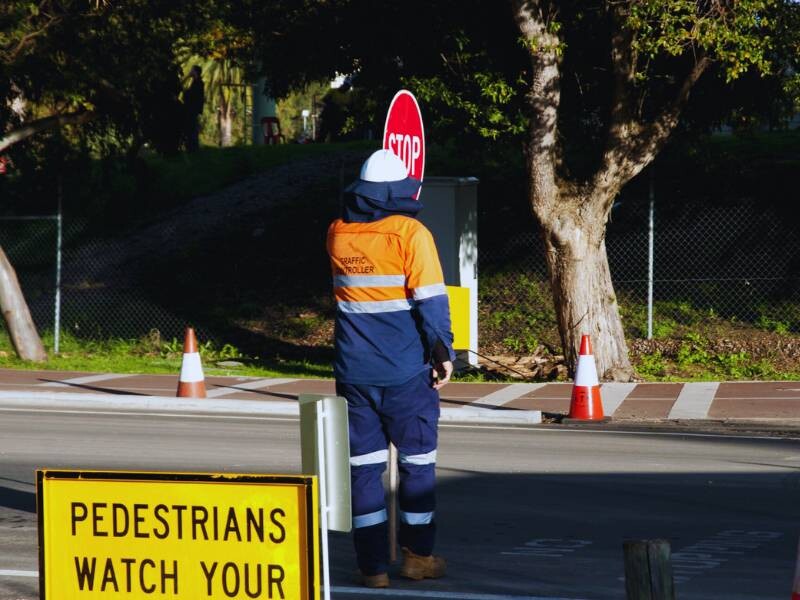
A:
740, 263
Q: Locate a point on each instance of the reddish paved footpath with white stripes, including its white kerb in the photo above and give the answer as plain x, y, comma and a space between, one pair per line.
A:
523, 403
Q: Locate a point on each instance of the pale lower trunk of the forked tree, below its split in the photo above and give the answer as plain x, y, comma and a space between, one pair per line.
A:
580, 279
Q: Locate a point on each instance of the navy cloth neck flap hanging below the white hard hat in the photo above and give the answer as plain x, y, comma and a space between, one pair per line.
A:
367, 201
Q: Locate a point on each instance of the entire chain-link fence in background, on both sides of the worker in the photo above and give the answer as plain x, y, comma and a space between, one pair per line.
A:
739, 262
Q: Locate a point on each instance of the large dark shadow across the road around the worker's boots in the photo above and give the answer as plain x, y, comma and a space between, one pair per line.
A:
519, 534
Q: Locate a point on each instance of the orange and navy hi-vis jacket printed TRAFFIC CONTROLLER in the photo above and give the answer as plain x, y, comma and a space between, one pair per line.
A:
392, 309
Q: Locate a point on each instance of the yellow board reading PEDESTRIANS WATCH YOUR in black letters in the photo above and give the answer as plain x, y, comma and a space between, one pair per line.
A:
177, 535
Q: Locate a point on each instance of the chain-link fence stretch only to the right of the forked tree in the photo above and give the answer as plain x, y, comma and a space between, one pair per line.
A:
740, 262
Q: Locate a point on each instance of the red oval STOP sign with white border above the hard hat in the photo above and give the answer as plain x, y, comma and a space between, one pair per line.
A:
404, 134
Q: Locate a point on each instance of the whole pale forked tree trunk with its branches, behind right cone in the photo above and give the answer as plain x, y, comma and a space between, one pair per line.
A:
572, 213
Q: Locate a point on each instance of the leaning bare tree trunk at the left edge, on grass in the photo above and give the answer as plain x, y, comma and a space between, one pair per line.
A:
18, 320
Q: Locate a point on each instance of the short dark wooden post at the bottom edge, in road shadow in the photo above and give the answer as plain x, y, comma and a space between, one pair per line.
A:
648, 570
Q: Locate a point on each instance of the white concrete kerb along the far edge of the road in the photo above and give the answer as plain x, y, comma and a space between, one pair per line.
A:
168, 404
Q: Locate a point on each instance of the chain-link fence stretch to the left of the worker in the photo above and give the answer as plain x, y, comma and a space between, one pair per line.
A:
94, 296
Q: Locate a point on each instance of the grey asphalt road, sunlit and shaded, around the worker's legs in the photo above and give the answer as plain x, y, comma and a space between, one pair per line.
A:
523, 512
